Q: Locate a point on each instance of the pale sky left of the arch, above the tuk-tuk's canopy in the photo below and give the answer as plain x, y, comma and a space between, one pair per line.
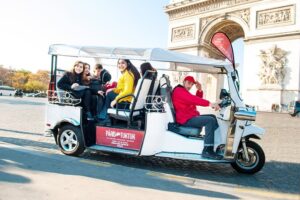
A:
27, 28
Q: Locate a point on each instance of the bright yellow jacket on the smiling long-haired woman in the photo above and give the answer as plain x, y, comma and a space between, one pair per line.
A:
125, 86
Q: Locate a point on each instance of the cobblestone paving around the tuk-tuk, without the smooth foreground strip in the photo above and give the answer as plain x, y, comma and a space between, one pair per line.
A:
22, 124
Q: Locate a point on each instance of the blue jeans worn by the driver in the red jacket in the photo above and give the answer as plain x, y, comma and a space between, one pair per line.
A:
209, 122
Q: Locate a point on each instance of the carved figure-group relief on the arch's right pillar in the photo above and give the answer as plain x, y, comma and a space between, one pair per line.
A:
272, 70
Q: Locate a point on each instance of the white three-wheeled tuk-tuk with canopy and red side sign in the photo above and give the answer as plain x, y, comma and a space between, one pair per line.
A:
147, 128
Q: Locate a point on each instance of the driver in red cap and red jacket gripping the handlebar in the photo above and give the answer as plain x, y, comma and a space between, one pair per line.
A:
187, 115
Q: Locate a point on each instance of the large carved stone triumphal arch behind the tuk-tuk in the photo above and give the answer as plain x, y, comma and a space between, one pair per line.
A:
271, 33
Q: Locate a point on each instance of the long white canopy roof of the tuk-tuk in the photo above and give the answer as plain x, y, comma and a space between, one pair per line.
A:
177, 59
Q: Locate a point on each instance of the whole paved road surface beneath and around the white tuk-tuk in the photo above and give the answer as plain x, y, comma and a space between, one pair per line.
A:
31, 166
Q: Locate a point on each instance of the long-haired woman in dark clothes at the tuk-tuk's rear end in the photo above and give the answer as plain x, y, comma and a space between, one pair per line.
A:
72, 82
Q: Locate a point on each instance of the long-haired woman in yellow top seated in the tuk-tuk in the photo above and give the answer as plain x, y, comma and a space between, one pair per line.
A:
126, 85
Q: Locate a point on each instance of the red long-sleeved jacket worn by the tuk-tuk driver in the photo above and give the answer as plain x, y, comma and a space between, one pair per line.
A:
185, 103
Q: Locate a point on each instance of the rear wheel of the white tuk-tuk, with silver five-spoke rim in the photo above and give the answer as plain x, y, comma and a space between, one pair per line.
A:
70, 140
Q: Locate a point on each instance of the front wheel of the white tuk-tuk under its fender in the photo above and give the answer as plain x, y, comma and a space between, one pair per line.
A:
256, 155
